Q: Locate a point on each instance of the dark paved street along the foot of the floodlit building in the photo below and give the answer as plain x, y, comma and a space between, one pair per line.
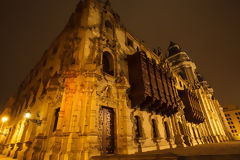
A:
223, 151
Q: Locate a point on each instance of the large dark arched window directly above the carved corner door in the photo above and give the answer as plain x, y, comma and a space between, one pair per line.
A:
107, 62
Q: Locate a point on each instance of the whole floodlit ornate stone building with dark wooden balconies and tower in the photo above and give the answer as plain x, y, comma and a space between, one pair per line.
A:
97, 90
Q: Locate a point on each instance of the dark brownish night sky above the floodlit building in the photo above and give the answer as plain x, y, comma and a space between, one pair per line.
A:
208, 30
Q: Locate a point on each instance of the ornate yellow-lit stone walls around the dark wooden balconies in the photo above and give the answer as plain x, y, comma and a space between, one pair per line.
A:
67, 90
